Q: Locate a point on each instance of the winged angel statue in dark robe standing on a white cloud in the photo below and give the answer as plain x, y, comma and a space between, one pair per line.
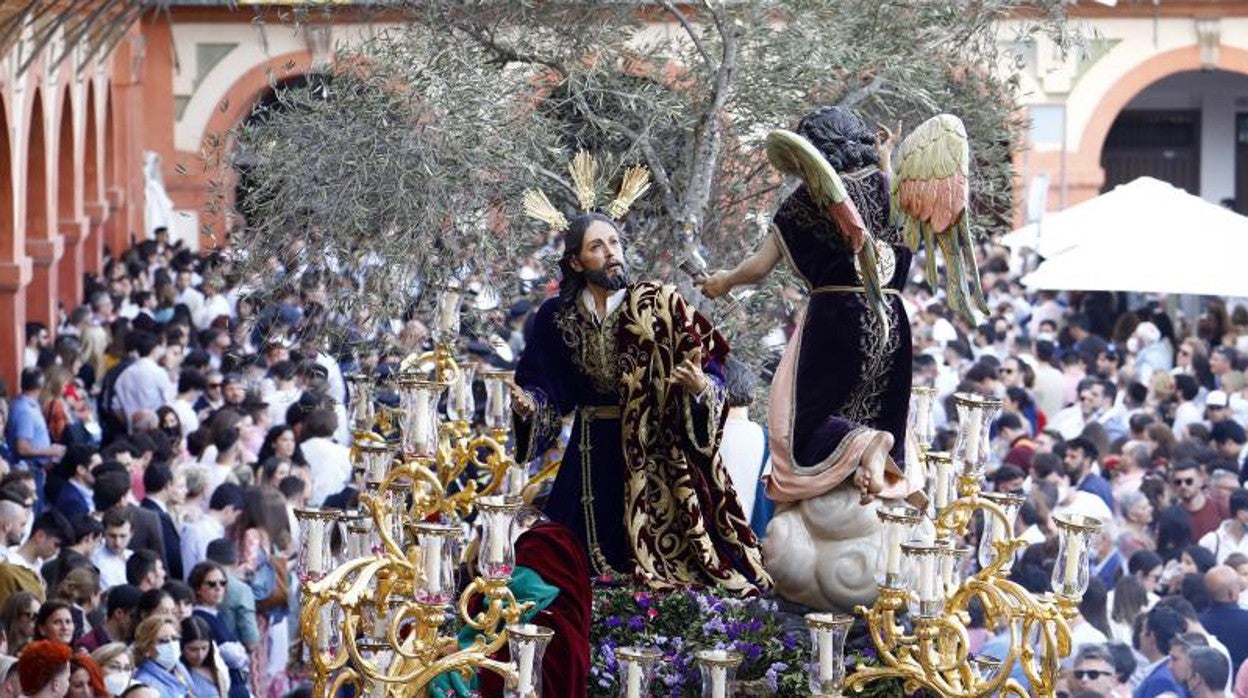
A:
842, 394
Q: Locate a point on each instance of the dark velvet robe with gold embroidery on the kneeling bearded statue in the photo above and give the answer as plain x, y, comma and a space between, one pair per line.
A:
640, 484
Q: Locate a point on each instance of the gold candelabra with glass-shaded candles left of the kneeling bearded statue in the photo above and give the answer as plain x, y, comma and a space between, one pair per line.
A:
381, 607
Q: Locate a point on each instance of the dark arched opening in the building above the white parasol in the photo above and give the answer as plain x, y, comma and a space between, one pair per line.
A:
1190, 129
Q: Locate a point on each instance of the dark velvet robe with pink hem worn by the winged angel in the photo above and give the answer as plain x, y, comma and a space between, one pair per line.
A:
843, 379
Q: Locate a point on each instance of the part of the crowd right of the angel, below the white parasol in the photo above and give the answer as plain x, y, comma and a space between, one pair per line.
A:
1120, 409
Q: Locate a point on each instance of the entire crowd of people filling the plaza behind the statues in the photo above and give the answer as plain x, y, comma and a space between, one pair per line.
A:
162, 436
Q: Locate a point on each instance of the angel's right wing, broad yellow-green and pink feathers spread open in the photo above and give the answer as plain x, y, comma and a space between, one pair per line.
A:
930, 197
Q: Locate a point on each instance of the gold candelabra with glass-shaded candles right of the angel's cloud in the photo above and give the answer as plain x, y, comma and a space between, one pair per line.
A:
920, 573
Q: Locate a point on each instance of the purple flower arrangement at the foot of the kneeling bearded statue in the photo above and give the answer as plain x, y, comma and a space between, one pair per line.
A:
681, 624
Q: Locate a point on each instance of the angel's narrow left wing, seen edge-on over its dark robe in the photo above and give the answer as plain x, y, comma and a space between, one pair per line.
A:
794, 155
